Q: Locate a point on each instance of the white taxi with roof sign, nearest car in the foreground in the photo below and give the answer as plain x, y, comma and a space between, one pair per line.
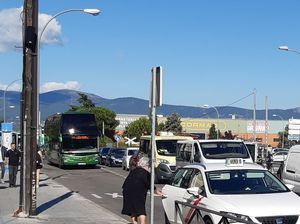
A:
243, 190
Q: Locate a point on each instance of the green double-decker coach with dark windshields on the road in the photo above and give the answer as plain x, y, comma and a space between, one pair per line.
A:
71, 138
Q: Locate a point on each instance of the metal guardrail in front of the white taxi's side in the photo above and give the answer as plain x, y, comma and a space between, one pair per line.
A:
197, 212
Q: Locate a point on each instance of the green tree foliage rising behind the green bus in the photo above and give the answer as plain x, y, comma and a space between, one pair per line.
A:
102, 115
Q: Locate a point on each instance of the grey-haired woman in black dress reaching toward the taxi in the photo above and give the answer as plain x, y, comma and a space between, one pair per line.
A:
135, 189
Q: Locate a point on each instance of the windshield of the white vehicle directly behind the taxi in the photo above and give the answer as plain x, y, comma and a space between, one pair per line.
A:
223, 150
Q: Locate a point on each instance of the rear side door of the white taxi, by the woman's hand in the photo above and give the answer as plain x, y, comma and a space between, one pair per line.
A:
176, 191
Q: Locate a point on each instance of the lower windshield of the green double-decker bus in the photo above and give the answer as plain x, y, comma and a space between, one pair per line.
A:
78, 144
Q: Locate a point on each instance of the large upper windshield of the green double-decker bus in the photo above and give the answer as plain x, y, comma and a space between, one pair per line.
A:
79, 124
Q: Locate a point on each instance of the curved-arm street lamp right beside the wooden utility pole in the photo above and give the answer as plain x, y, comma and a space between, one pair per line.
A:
93, 12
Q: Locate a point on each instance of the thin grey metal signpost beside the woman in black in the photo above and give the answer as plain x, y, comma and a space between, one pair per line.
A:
153, 146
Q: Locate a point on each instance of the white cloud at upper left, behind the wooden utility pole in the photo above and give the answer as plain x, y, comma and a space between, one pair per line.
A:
11, 29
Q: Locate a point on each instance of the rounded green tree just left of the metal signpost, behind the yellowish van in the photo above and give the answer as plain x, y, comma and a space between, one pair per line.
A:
140, 127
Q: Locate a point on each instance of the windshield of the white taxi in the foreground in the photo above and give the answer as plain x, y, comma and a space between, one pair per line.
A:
243, 182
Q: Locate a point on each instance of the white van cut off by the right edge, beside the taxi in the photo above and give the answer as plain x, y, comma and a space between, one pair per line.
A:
291, 168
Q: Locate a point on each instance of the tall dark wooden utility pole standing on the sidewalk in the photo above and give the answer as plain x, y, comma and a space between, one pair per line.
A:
29, 108
